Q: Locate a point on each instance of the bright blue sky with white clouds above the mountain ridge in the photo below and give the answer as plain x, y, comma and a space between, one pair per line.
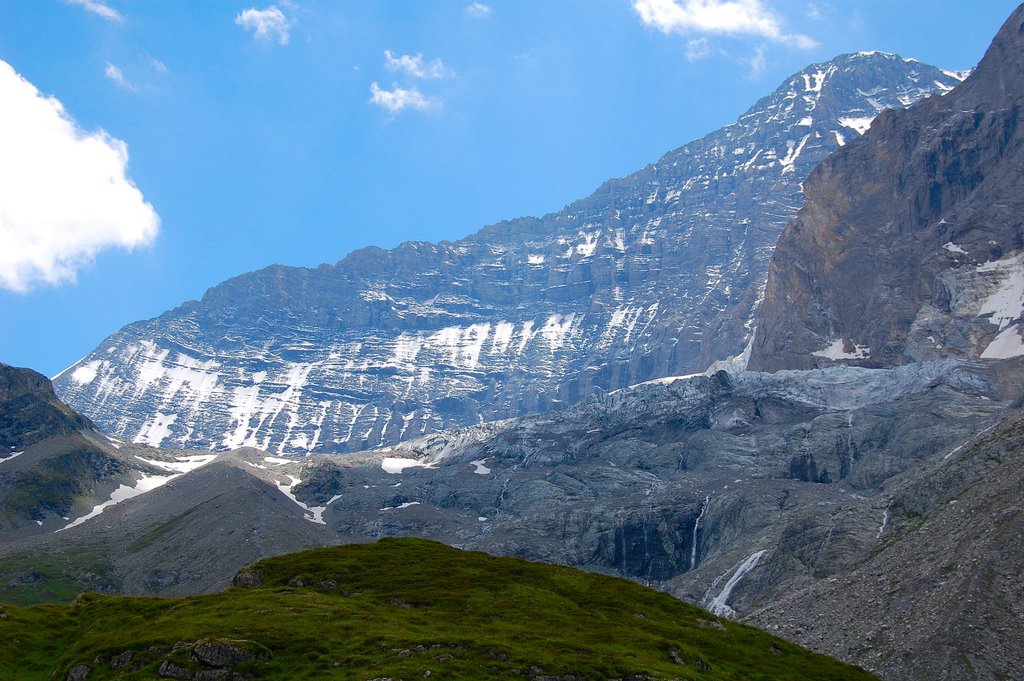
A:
296, 132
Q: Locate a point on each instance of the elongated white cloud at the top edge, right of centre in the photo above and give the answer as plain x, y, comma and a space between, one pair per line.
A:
718, 17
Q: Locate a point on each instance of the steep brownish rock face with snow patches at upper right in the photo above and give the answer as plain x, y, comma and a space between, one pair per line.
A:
912, 241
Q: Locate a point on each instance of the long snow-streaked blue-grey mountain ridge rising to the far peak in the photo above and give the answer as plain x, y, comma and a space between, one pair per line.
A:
658, 274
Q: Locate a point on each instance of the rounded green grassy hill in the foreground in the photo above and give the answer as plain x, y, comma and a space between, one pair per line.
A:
401, 608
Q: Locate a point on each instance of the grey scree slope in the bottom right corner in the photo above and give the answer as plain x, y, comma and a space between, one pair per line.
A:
941, 600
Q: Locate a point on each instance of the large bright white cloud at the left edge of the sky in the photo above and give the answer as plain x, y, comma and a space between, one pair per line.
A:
64, 193
